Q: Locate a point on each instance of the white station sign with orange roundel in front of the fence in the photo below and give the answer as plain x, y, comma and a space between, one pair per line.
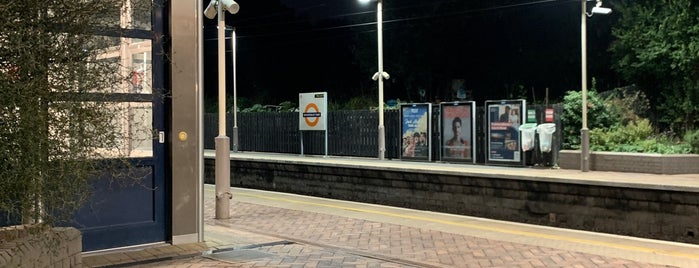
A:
313, 111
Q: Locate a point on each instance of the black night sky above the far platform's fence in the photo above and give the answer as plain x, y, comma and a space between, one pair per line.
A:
501, 49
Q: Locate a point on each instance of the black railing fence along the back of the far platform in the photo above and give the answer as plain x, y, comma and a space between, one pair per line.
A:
350, 133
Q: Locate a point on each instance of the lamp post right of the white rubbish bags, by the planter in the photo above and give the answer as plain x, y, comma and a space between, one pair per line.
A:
585, 132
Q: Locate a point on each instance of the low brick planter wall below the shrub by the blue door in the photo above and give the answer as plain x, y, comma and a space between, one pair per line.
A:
32, 246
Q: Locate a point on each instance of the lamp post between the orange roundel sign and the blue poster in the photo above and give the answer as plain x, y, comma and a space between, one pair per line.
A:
380, 75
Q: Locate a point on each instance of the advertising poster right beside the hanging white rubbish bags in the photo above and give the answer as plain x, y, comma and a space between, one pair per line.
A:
503, 121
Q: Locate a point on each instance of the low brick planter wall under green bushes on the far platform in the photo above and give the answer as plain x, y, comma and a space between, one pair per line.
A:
633, 162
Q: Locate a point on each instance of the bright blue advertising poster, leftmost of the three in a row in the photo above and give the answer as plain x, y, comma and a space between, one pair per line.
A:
415, 131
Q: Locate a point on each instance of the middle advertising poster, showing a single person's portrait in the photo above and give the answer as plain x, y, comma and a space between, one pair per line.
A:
458, 131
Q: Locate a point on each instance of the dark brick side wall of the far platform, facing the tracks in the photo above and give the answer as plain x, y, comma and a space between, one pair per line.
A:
664, 213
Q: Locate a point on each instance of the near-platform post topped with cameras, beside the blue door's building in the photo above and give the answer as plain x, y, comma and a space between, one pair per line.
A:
223, 157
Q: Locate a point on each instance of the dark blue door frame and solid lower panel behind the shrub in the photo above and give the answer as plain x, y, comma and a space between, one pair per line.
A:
125, 215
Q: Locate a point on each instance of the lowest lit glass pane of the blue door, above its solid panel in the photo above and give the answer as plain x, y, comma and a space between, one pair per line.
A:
78, 129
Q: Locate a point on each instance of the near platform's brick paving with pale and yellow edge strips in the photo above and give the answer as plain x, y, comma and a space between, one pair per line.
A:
281, 230
